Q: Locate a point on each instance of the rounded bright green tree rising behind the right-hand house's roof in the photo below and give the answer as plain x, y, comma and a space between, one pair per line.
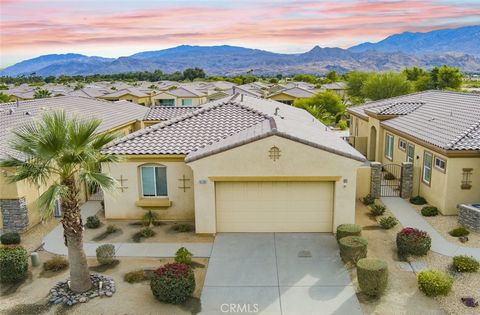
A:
384, 85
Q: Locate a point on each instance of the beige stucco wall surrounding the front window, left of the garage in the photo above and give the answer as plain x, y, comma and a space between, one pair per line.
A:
121, 205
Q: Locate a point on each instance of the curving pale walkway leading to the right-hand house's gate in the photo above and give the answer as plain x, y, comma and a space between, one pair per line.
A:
408, 217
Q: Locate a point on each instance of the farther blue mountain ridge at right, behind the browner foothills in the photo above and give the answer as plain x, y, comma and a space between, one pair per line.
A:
465, 40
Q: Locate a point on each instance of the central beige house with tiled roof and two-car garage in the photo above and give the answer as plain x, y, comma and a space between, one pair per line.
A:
240, 164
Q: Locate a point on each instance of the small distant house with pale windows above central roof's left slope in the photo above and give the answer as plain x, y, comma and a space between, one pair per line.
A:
180, 96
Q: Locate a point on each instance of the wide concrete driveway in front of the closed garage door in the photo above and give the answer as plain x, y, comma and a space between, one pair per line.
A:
277, 273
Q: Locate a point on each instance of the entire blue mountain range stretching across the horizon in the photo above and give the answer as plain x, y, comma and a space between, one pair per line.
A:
459, 47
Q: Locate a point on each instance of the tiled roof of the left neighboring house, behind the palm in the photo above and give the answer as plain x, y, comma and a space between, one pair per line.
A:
113, 114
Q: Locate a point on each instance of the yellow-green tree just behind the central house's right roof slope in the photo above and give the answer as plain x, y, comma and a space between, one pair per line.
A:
325, 106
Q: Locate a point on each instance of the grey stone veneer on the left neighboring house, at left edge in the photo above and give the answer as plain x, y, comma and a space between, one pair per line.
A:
15, 214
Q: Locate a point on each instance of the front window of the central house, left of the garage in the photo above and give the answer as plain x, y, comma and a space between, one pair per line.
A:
154, 181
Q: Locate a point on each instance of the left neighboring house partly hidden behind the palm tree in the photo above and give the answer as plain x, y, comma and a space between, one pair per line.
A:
19, 210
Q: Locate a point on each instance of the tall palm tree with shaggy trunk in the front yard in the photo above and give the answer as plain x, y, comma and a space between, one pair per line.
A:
63, 153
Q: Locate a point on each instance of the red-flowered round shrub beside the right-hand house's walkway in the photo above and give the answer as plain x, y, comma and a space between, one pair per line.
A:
411, 241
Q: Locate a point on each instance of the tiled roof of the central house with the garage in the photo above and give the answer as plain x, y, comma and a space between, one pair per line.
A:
232, 121
